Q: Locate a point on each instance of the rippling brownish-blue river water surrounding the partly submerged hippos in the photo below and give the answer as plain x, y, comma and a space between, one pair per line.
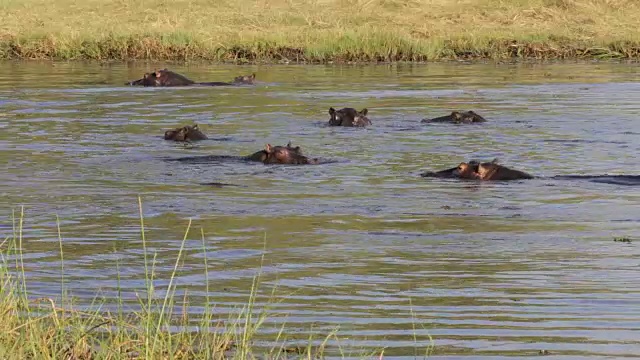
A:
361, 243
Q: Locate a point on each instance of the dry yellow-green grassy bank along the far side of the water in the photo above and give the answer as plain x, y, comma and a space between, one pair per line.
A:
318, 30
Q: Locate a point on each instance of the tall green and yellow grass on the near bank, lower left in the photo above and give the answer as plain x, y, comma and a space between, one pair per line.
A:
44, 329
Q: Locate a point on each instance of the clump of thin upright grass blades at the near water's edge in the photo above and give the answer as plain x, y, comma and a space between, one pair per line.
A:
162, 323
